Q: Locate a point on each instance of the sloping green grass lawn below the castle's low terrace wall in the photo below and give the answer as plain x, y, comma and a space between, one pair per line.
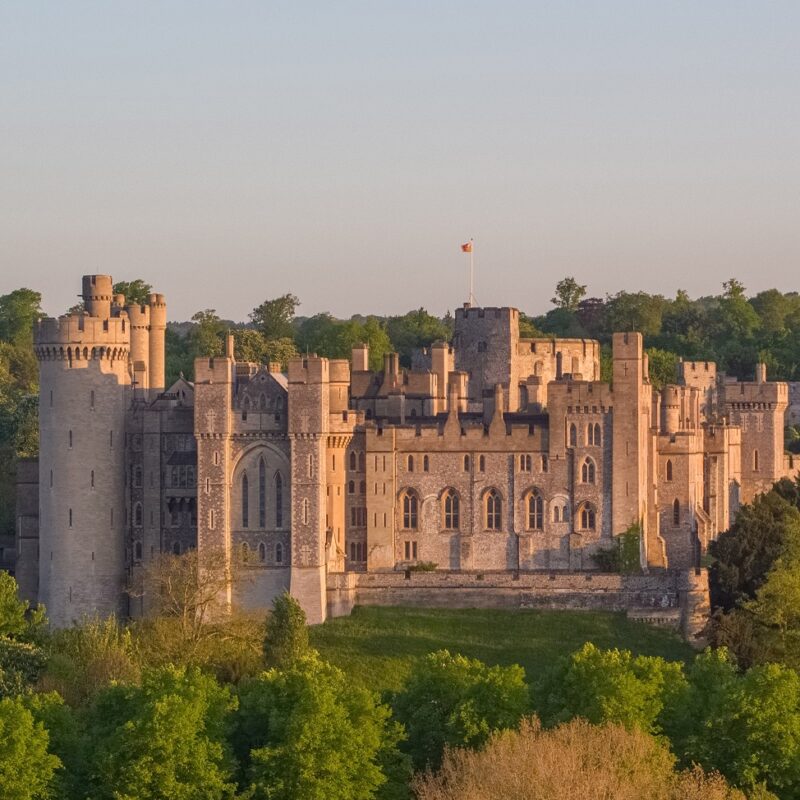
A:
377, 646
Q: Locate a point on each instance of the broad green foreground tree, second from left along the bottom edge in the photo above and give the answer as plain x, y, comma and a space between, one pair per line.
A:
166, 738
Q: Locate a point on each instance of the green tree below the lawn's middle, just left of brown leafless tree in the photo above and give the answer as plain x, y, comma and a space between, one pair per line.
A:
454, 701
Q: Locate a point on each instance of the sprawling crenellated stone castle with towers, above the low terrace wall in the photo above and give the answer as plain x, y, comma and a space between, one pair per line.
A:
493, 454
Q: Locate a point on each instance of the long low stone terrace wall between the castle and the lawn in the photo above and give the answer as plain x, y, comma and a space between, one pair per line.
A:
679, 598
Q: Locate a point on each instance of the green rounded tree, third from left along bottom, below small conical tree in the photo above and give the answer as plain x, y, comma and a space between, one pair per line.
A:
309, 732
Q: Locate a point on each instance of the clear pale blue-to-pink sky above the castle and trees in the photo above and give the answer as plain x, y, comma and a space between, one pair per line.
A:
232, 151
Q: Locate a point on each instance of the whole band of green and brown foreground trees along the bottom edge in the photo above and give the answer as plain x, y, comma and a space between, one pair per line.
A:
97, 712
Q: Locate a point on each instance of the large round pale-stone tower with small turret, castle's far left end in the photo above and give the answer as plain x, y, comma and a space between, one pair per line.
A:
84, 393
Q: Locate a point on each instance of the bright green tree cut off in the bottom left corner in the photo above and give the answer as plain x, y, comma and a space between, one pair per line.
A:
27, 767
